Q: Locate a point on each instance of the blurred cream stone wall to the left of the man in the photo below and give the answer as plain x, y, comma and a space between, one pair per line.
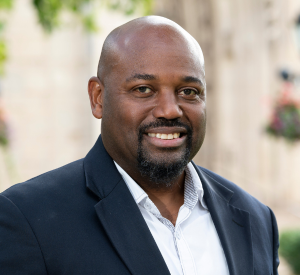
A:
44, 92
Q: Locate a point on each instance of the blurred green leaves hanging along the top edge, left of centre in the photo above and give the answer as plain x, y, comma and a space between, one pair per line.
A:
49, 10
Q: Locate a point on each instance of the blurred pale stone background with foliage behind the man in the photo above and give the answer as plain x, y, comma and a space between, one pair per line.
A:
50, 48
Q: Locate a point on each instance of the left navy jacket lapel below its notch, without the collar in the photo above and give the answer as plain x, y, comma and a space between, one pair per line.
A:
129, 233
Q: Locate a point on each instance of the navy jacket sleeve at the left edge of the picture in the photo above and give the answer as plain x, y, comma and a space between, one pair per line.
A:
20, 252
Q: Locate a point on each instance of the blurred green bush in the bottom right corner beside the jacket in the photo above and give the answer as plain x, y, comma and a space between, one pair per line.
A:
290, 248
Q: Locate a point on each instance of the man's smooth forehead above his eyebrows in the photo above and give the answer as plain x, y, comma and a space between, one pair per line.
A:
159, 50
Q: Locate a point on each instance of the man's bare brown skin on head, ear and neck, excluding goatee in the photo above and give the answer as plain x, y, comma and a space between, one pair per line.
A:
150, 69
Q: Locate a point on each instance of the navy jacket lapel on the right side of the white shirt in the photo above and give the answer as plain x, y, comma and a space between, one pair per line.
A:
232, 225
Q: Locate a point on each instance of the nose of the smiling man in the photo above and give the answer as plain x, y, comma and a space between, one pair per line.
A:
167, 106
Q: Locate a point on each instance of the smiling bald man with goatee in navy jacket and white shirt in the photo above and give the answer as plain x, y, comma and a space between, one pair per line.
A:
136, 204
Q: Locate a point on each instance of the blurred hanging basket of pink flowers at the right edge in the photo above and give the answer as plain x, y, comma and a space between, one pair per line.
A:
285, 120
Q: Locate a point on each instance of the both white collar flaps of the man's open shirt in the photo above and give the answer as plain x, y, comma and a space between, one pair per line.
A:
192, 180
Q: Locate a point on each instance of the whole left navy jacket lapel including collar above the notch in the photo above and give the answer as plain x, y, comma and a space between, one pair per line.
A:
120, 215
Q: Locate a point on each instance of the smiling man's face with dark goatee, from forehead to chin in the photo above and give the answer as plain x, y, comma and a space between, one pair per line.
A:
154, 107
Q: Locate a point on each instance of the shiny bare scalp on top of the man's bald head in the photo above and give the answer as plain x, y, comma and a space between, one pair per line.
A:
132, 40
